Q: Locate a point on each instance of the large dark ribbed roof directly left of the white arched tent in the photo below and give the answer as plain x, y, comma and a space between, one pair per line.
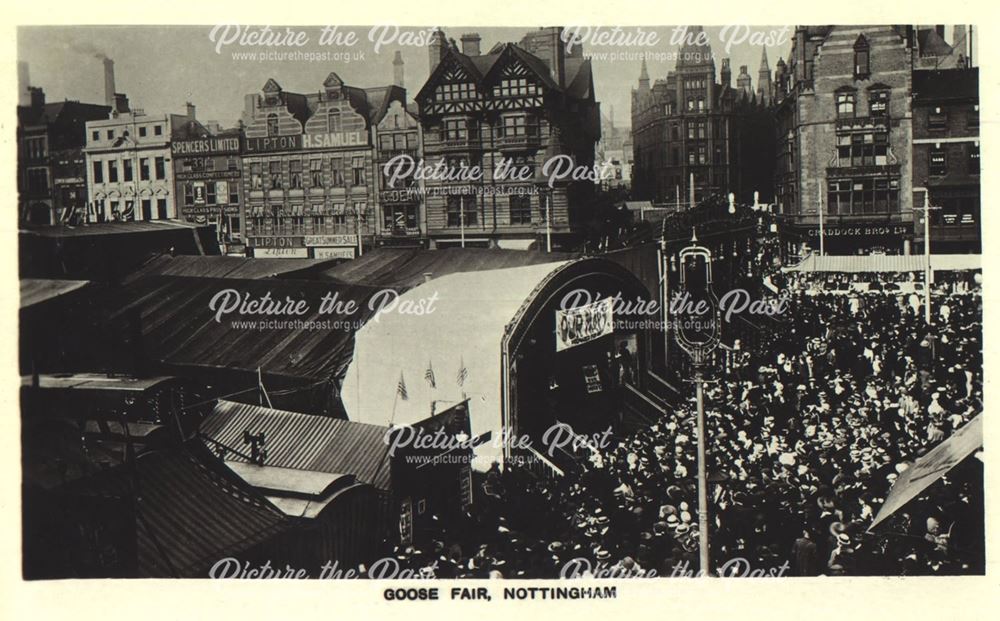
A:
179, 327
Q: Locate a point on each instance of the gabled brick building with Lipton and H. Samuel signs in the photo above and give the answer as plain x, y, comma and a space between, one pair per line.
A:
308, 169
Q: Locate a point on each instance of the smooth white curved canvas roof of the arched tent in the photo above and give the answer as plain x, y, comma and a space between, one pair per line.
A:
406, 366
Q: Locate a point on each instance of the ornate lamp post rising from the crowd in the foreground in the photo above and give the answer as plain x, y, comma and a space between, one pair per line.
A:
698, 336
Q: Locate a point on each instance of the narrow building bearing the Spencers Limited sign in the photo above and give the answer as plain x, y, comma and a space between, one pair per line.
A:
208, 183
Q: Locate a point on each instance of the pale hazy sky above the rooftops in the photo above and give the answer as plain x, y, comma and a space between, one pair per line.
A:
162, 67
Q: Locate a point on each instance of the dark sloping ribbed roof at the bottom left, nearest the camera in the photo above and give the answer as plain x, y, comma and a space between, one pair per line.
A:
195, 515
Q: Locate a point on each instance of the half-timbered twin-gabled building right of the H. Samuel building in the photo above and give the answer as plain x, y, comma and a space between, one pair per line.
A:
506, 113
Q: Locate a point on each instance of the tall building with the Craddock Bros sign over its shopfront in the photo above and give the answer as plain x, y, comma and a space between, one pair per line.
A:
844, 135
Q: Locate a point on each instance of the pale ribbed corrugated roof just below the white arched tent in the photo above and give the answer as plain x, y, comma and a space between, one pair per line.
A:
303, 441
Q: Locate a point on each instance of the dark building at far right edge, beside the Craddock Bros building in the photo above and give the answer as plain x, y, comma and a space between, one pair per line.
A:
946, 157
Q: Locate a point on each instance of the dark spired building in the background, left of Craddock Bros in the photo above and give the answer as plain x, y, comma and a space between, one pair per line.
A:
694, 136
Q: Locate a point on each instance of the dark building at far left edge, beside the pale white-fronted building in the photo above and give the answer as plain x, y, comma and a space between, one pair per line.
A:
51, 166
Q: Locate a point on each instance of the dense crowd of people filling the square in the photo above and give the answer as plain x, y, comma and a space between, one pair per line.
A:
806, 433
